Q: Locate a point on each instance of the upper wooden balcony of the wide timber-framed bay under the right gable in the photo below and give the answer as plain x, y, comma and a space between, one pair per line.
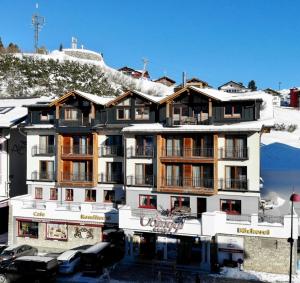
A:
184, 154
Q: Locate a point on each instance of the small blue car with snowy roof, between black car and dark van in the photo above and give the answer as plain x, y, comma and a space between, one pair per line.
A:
69, 261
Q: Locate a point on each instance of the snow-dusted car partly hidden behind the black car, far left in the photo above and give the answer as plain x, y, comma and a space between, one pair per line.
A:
12, 252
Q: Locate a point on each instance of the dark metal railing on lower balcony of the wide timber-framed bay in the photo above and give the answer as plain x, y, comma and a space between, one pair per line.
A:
188, 182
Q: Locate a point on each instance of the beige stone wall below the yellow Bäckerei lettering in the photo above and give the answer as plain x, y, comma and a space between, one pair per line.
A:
268, 254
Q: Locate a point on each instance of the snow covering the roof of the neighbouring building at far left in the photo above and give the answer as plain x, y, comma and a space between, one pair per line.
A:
16, 110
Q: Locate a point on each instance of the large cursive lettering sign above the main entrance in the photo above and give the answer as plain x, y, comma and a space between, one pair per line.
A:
162, 225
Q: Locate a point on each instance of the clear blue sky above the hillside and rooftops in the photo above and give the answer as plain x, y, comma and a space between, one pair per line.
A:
217, 41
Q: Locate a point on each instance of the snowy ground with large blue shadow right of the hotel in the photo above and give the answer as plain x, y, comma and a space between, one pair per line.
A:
280, 160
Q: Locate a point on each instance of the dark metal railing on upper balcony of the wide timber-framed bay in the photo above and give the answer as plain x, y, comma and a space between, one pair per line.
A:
188, 152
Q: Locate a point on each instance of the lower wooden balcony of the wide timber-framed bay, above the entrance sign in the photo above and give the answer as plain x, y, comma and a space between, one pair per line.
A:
187, 185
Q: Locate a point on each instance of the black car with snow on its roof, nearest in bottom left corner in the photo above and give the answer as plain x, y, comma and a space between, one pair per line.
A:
32, 269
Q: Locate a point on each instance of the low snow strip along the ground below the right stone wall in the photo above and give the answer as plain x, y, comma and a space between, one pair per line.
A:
257, 276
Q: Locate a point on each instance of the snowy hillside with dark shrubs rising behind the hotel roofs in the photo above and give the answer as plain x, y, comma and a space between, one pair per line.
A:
35, 74
